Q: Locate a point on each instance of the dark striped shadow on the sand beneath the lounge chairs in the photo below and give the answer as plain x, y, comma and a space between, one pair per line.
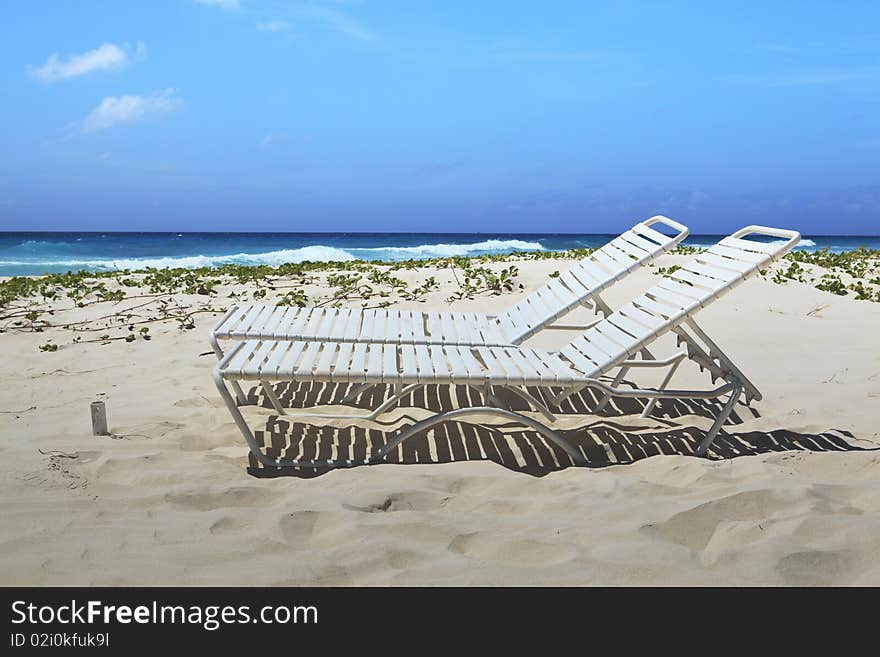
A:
603, 441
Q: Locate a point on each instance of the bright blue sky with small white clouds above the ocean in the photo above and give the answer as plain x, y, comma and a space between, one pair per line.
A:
404, 115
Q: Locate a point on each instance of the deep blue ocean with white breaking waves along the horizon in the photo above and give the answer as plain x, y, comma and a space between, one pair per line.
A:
23, 253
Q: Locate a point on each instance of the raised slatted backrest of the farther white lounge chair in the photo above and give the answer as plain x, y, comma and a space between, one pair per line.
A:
632, 249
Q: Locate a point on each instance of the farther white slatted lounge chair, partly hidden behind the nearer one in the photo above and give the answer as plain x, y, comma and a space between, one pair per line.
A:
580, 285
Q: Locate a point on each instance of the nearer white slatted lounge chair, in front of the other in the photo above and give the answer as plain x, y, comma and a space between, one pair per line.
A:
611, 343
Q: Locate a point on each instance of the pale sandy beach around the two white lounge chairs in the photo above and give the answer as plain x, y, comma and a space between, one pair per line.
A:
789, 496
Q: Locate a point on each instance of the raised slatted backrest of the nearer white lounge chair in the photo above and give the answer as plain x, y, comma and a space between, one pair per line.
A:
709, 275
